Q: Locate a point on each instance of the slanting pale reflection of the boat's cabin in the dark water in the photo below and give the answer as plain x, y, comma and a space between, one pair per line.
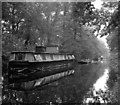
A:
30, 85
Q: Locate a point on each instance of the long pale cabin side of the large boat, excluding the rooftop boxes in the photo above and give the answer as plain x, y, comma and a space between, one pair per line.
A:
39, 57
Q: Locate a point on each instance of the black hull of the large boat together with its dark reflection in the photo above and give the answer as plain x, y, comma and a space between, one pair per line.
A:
28, 71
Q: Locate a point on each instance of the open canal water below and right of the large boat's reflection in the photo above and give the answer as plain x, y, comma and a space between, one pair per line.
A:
77, 88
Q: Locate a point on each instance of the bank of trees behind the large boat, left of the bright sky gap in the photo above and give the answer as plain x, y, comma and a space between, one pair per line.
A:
25, 25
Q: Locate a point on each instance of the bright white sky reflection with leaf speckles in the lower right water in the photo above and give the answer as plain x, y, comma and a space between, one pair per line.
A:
99, 93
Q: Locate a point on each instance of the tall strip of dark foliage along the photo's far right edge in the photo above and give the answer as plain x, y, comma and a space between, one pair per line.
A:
113, 42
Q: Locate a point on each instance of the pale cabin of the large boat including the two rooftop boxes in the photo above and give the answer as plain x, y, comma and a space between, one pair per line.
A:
41, 54
